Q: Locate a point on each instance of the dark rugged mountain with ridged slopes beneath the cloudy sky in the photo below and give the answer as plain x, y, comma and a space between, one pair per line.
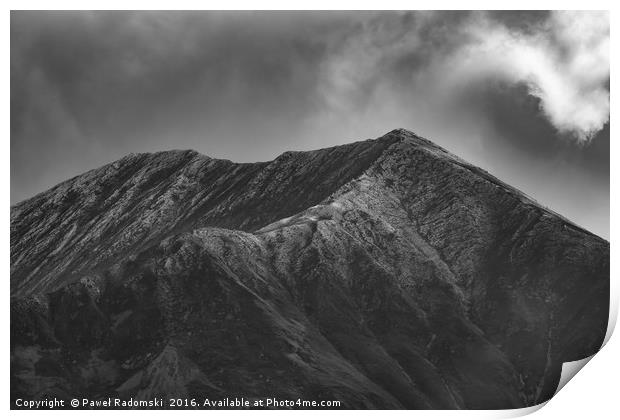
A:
385, 274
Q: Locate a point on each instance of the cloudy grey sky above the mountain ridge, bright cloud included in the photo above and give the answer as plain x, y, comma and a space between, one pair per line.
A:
524, 95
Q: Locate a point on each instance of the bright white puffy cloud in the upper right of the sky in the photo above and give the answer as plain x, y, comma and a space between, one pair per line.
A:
564, 62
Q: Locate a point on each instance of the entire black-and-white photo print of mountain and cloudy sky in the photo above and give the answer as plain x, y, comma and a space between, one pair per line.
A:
385, 273
